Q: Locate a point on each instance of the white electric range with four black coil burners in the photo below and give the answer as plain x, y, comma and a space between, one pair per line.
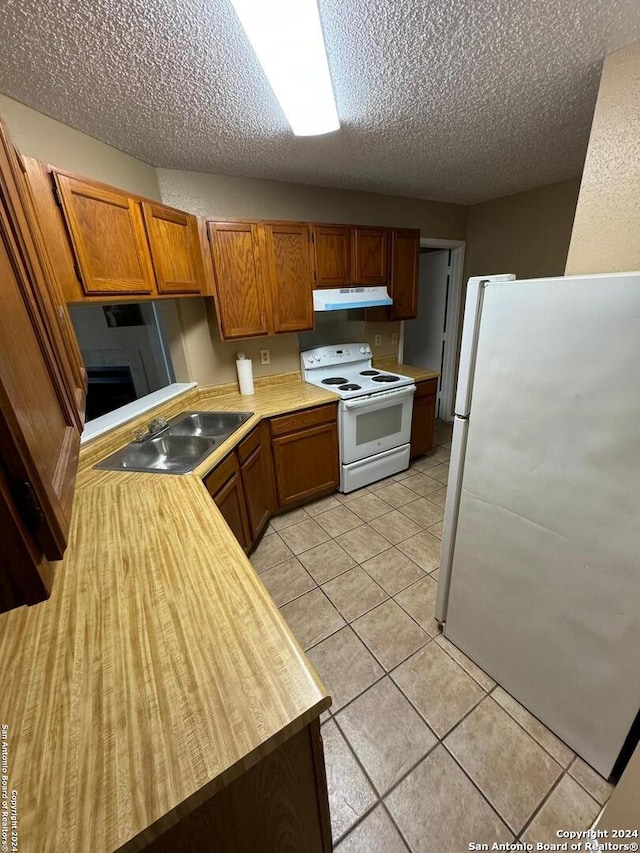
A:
374, 413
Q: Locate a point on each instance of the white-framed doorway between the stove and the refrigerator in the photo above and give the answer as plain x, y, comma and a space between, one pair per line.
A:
432, 339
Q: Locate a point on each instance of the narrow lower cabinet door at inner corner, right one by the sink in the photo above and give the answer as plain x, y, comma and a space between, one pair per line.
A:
257, 479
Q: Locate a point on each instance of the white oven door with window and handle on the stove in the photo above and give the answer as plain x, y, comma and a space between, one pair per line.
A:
376, 423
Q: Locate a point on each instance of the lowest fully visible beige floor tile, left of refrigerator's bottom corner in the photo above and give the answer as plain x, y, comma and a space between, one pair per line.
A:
511, 770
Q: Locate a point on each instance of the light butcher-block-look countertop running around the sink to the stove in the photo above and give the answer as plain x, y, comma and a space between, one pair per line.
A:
160, 669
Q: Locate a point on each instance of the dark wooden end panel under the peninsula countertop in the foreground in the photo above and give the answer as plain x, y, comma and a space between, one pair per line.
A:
280, 805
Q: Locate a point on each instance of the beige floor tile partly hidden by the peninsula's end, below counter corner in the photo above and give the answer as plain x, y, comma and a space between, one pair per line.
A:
350, 792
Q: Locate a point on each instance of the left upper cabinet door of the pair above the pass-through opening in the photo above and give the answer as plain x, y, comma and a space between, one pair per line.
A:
108, 237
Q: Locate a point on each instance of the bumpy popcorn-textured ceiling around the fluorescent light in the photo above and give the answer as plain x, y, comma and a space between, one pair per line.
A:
456, 100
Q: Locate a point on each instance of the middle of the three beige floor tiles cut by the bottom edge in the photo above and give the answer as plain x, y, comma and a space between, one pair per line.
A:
440, 811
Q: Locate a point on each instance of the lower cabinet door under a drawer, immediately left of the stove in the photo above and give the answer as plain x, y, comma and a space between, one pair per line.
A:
306, 463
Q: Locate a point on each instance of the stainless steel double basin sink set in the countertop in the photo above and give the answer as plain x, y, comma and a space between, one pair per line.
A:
178, 447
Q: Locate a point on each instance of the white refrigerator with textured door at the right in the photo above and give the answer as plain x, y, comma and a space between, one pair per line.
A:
540, 566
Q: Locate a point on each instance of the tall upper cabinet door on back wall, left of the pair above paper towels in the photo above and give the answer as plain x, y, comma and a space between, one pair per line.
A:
240, 301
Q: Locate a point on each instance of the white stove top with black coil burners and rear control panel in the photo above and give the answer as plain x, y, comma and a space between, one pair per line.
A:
346, 370
